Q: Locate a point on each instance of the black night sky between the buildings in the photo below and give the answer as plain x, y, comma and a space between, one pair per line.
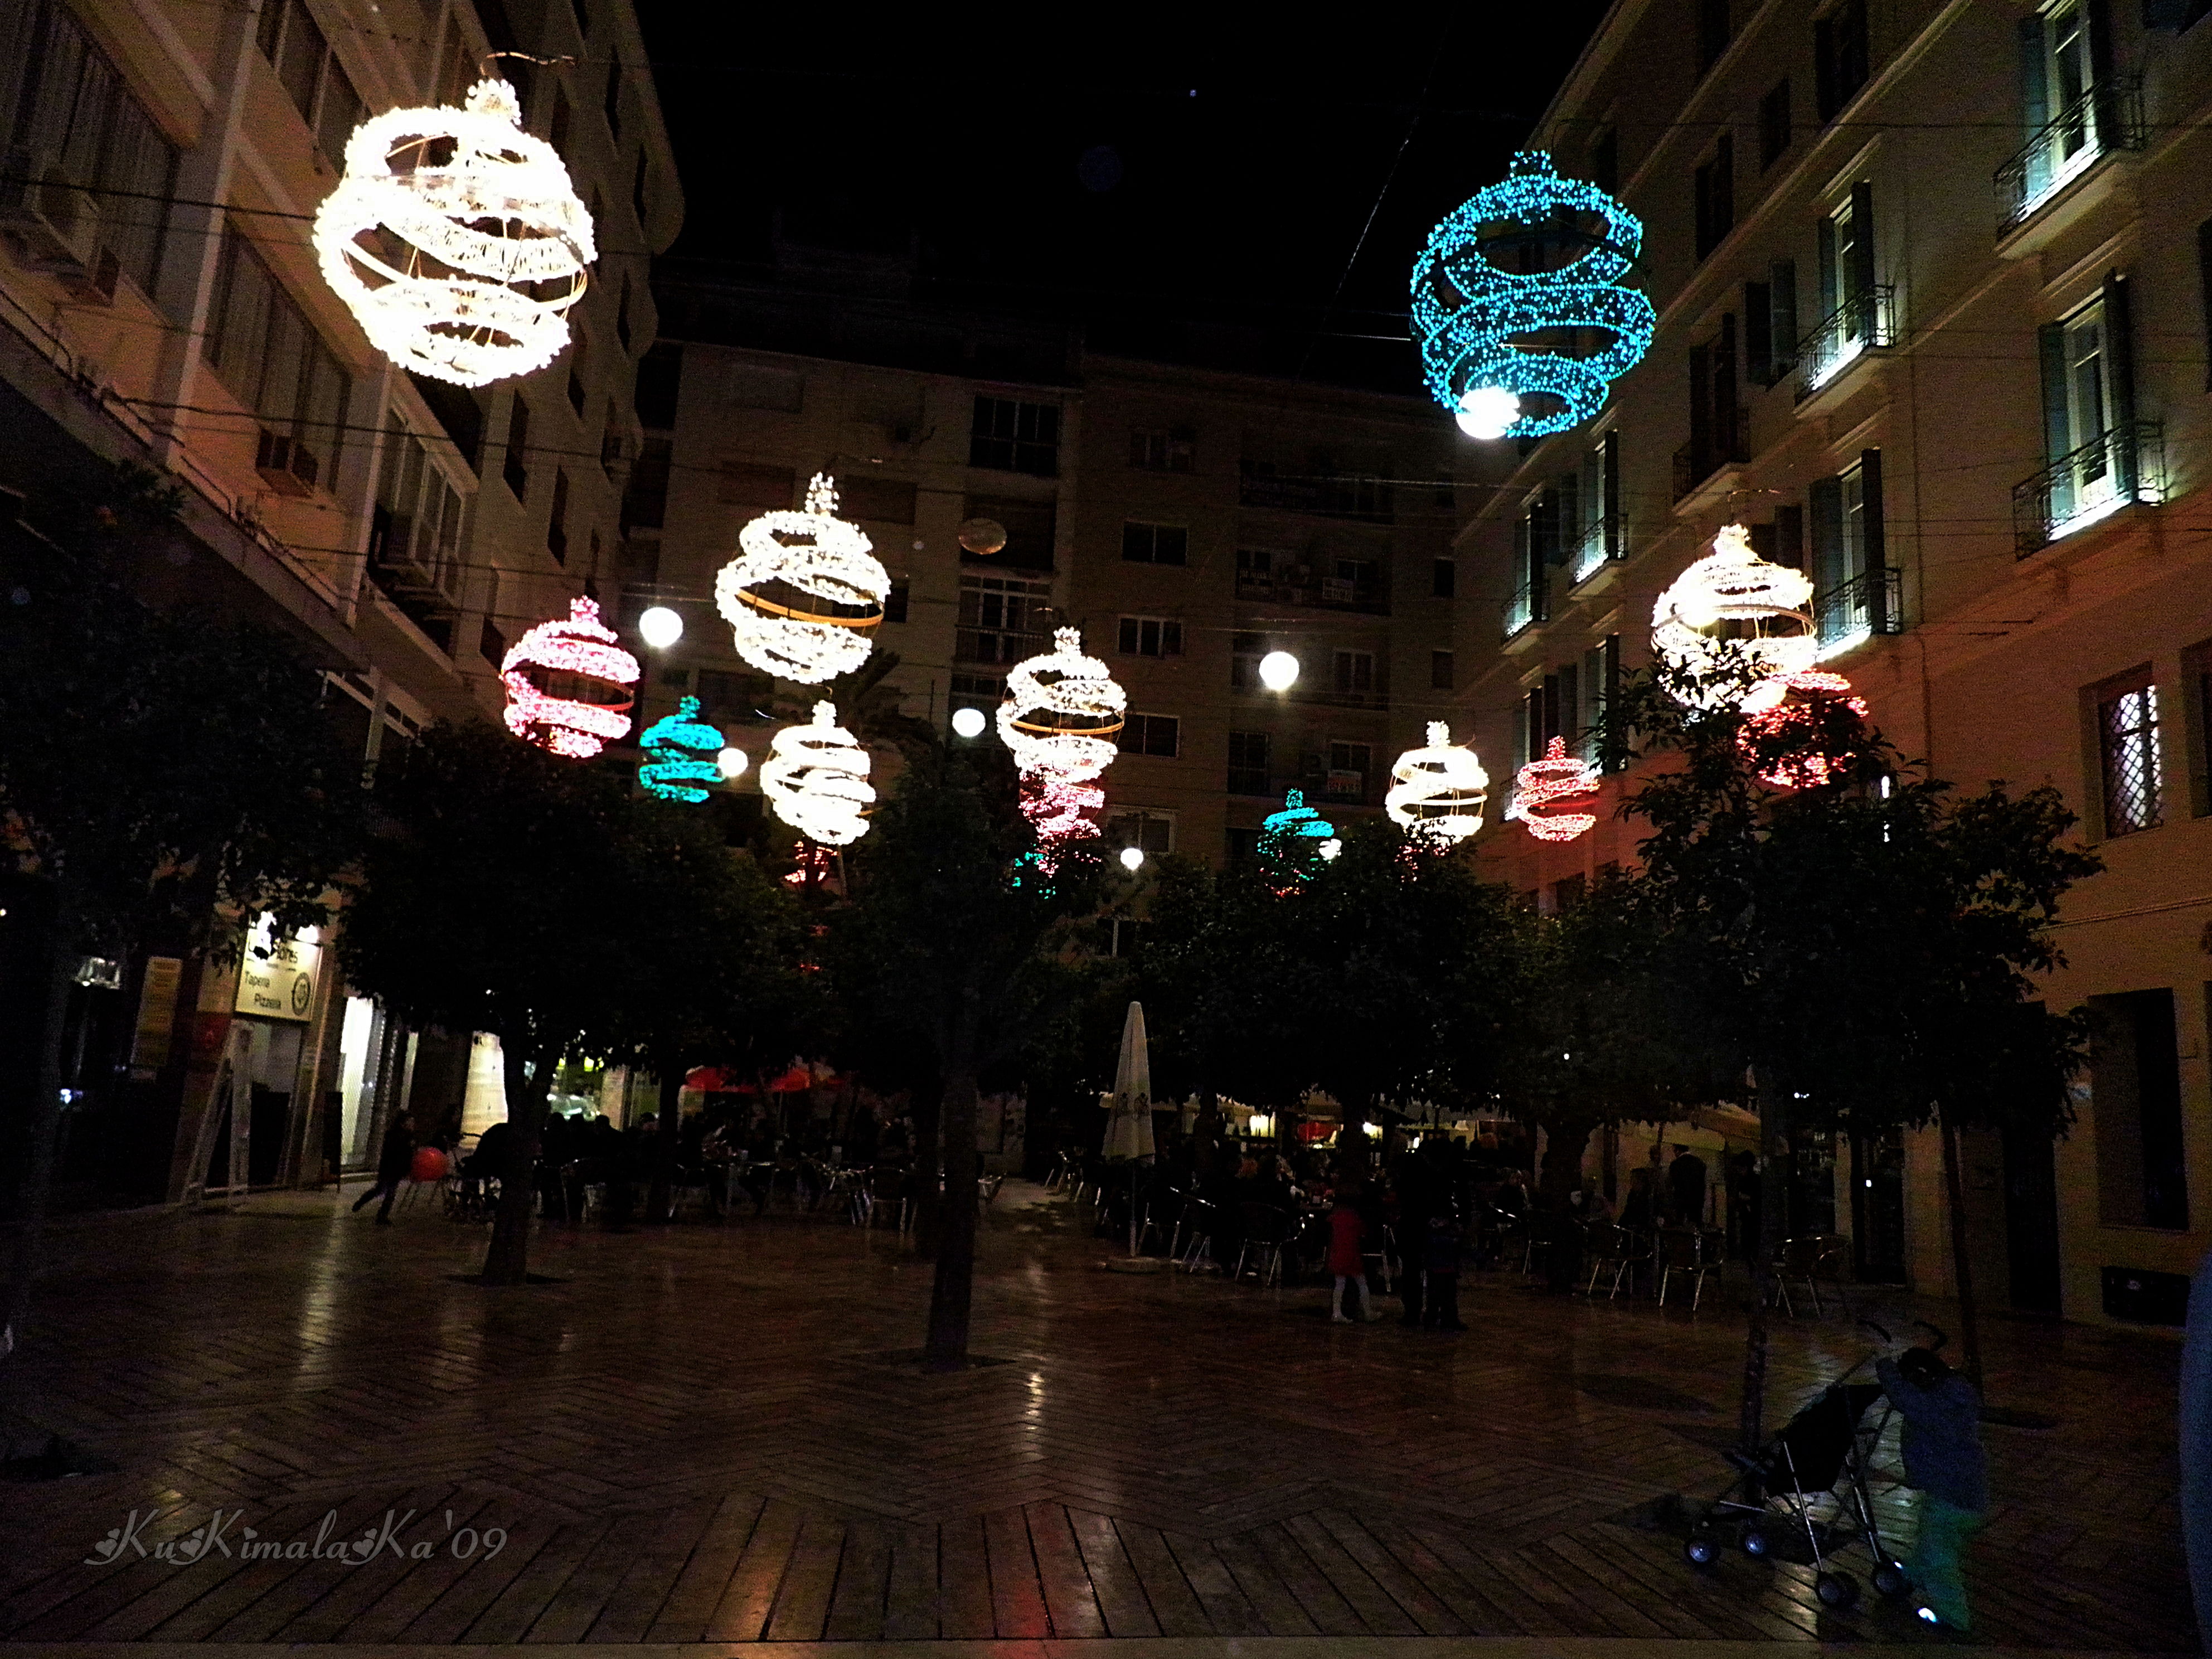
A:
1116, 178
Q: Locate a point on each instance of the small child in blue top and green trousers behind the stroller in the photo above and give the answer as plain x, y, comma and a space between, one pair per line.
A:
1943, 1459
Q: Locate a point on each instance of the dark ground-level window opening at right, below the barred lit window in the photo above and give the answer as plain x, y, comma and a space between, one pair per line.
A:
2136, 1083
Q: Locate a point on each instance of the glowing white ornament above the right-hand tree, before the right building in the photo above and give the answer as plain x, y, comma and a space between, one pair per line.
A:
1735, 605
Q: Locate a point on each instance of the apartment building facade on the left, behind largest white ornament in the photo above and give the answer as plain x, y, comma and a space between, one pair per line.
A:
160, 169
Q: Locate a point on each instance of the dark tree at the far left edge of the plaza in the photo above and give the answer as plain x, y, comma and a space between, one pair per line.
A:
165, 775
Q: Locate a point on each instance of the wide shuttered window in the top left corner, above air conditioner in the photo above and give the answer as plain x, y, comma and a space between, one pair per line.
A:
70, 112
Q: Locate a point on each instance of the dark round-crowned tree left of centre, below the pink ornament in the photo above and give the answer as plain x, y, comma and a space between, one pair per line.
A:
508, 890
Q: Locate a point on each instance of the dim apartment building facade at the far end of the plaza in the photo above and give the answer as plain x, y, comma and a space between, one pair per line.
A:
1187, 521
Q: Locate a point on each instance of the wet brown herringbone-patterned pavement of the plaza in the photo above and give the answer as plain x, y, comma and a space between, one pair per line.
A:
711, 1434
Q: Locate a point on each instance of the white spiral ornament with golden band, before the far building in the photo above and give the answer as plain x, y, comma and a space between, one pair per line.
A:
804, 592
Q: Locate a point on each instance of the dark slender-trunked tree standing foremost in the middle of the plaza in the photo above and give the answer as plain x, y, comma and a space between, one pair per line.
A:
954, 935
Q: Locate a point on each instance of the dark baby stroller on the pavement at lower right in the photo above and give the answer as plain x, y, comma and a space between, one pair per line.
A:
1822, 1454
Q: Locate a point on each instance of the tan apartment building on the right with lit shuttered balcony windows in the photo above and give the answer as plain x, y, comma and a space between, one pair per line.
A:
1932, 291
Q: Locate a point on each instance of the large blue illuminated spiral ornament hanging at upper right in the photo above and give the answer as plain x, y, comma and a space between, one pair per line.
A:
1474, 315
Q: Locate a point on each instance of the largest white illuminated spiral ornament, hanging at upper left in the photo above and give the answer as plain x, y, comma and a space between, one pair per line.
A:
457, 240
